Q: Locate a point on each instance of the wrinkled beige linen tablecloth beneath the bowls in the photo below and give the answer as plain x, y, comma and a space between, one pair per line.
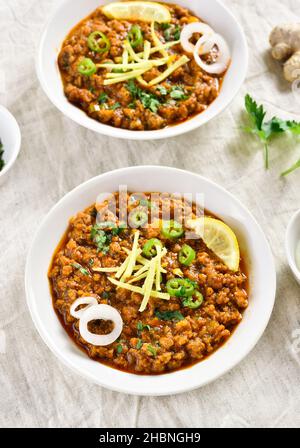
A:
56, 155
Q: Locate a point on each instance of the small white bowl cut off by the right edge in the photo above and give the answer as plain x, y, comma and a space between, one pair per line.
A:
292, 237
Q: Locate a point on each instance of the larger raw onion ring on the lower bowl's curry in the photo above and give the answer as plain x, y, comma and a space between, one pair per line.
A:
104, 312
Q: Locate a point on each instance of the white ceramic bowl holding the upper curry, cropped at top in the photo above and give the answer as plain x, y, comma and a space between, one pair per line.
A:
70, 12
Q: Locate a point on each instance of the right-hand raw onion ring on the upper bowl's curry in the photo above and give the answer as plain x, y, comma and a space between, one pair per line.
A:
223, 57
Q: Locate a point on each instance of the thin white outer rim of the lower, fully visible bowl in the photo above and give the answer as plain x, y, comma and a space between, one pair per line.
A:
125, 389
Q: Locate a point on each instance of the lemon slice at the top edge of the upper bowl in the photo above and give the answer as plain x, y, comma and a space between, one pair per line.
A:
144, 11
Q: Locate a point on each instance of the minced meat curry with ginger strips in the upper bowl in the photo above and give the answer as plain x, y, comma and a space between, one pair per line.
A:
93, 63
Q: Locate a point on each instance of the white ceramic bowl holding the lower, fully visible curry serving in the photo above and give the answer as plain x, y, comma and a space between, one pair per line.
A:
152, 178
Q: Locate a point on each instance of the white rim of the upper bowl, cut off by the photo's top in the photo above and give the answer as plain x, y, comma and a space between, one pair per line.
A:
168, 132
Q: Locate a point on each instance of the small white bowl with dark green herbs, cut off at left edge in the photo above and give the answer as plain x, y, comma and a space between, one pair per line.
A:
10, 136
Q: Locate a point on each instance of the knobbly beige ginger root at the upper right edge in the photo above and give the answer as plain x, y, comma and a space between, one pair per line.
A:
285, 43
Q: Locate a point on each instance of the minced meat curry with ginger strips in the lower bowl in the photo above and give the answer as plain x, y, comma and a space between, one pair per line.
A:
195, 302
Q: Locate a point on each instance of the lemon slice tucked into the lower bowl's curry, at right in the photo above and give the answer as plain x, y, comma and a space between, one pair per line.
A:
219, 238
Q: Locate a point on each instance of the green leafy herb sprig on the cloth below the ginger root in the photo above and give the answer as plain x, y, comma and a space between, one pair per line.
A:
265, 130
